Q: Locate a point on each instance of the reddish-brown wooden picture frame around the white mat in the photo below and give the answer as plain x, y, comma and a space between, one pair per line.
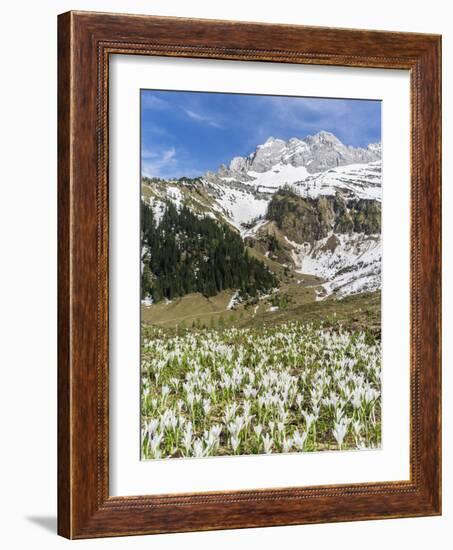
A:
85, 41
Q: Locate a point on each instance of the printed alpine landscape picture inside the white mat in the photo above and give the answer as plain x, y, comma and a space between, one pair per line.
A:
260, 274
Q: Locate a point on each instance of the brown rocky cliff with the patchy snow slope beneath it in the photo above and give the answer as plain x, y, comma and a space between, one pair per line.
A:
332, 237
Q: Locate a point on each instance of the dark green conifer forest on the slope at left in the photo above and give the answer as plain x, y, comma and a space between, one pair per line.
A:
191, 254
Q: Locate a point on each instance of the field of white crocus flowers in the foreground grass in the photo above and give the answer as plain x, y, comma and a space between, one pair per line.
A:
287, 388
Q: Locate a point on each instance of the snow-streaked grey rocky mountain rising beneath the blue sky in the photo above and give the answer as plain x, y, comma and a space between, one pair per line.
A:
347, 254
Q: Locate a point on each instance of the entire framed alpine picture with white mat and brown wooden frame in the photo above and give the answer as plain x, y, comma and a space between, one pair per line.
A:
249, 275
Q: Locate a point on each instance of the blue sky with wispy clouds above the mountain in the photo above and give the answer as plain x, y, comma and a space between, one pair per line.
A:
188, 133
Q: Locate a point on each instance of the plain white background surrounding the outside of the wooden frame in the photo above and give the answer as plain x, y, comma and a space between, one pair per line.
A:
28, 270
